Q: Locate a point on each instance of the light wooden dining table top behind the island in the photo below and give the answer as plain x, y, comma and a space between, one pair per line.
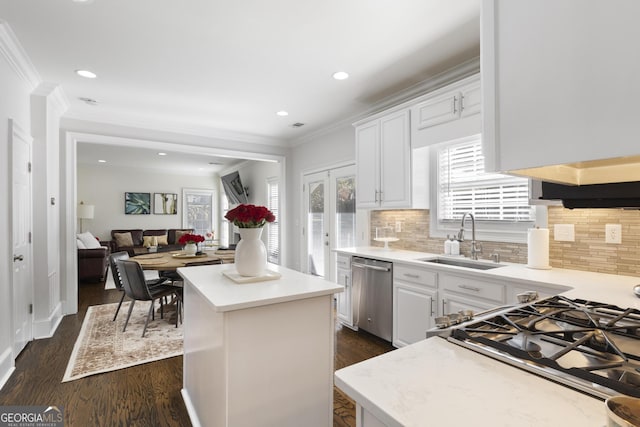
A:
170, 261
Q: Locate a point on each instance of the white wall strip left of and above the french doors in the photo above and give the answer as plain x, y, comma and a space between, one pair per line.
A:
323, 151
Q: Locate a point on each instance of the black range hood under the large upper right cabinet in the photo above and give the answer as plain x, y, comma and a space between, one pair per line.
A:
613, 195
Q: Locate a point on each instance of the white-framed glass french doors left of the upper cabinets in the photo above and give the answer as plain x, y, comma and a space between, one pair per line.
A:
329, 218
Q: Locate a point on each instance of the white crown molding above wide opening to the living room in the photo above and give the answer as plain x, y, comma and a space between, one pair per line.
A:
174, 127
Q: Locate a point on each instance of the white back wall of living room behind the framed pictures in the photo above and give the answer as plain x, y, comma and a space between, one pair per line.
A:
104, 186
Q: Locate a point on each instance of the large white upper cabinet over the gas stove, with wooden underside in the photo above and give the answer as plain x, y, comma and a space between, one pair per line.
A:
560, 83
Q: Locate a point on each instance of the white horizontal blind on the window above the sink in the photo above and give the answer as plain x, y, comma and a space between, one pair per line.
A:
463, 186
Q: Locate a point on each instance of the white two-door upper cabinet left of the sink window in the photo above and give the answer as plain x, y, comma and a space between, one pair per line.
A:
383, 162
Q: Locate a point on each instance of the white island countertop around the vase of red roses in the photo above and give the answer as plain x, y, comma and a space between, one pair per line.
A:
226, 295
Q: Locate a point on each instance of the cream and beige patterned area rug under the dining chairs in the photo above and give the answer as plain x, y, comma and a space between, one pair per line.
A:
103, 347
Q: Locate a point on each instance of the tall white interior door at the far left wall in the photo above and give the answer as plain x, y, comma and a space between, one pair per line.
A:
22, 277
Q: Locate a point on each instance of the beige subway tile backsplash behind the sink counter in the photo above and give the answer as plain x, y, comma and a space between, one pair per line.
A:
588, 252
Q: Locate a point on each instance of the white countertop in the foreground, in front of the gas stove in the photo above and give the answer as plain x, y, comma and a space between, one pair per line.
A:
436, 383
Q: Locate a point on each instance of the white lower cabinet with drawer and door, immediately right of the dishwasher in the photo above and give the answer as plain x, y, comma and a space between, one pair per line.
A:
414, 303
